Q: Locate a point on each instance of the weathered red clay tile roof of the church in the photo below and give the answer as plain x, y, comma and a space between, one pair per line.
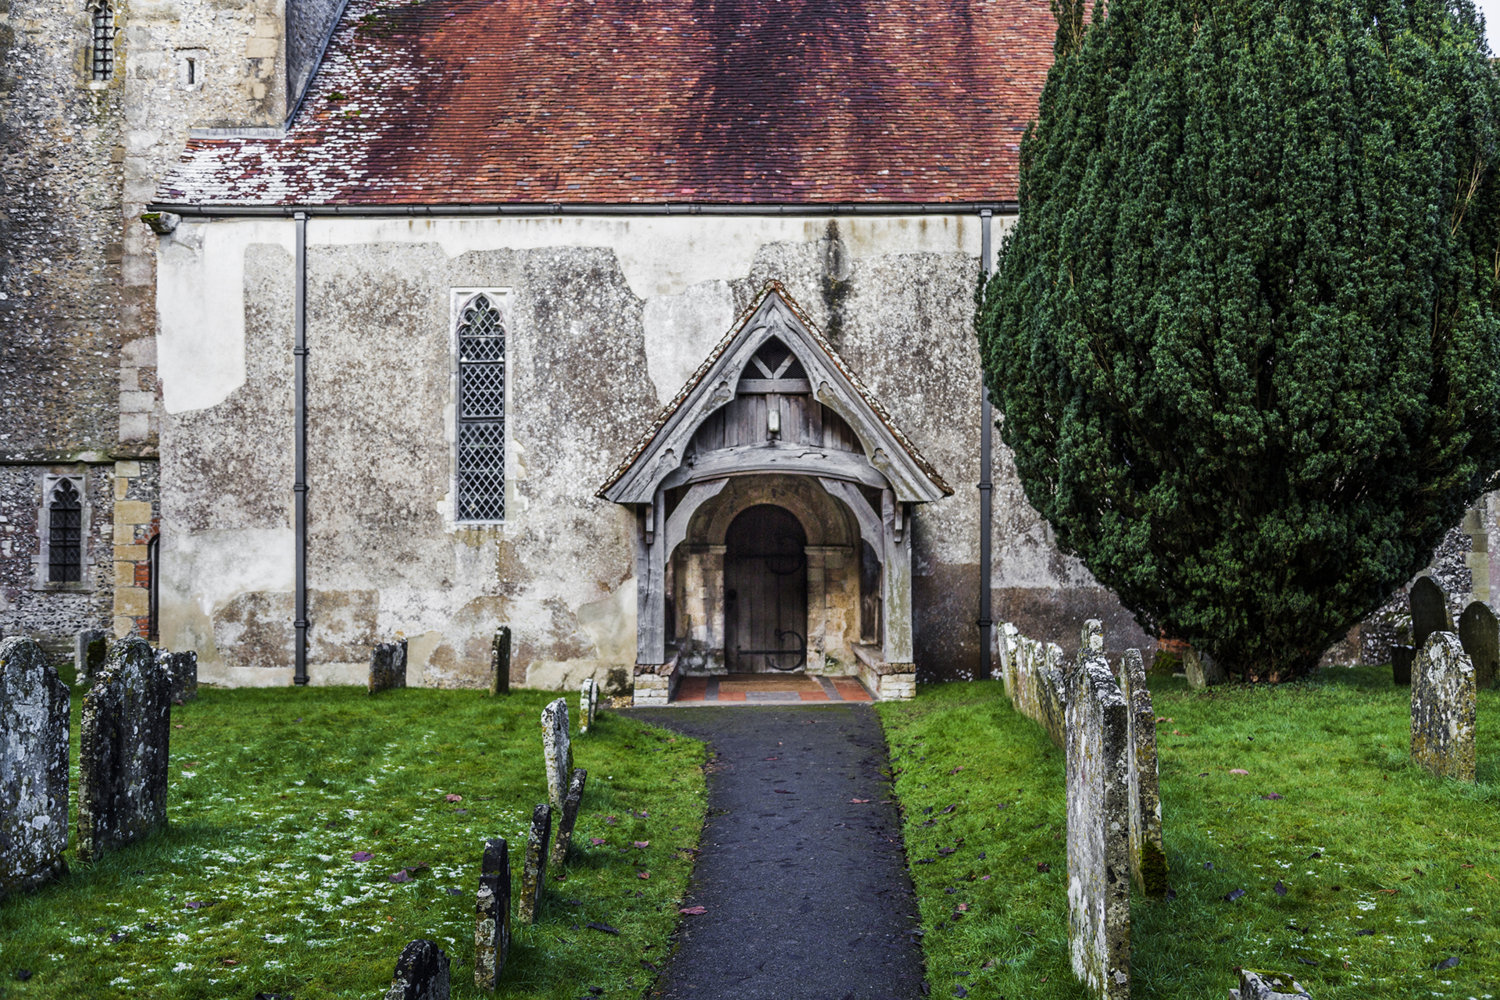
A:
649, 101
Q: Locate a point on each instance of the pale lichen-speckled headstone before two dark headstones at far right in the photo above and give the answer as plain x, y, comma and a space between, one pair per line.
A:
1444, 708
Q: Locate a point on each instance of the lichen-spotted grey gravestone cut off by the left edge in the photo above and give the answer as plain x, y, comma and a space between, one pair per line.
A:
34, 768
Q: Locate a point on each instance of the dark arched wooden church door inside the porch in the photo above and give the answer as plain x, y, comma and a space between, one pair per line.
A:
766, 591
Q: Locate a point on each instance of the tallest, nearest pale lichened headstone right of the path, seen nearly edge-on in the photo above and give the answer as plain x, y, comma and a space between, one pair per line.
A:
1099, 830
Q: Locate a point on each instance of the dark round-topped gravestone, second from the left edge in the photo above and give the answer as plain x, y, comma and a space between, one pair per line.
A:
122, 750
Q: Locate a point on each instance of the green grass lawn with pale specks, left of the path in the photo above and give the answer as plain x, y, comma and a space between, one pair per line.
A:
256, 888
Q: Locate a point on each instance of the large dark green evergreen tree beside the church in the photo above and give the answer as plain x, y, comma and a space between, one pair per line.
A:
1246, 334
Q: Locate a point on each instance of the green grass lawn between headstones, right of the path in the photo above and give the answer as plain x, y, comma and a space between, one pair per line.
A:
1387, 872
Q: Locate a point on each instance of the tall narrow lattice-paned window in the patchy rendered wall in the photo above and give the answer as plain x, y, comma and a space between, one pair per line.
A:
481, 488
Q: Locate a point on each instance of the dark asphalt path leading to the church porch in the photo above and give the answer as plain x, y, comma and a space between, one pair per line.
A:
802, 872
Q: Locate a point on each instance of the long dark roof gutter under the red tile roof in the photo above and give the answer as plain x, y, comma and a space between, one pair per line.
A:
544, 211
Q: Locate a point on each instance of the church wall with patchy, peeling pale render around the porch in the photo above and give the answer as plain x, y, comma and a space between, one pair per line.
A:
607, 320
